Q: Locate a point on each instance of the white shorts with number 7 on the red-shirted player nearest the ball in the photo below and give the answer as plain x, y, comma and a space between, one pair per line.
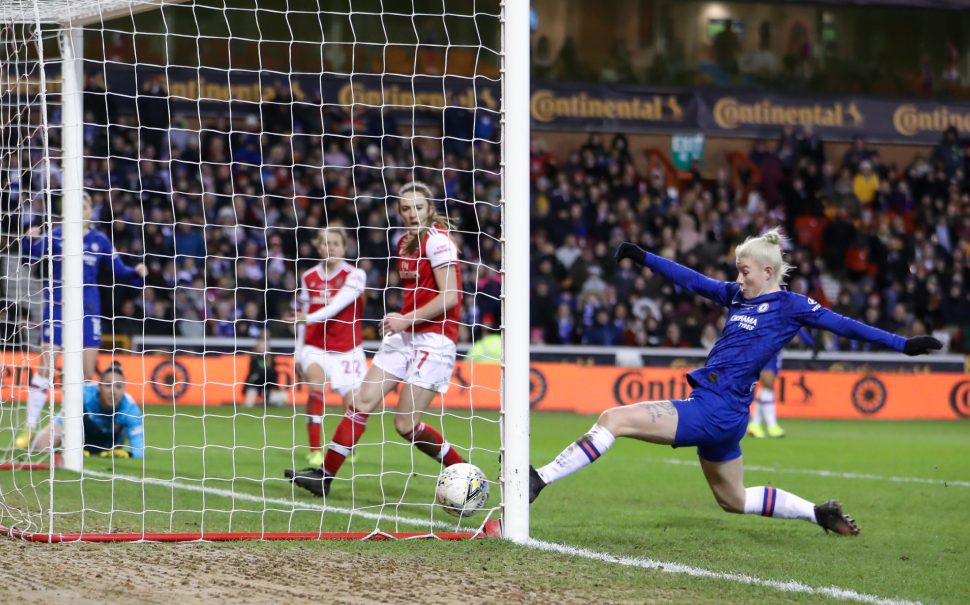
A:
424, 359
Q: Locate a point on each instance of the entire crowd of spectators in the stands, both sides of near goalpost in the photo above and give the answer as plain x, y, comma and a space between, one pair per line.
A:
225, 218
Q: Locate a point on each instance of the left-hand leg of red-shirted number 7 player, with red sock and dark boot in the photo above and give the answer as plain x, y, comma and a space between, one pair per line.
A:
376, 385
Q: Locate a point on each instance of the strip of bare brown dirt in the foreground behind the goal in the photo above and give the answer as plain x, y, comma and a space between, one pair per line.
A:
78, 574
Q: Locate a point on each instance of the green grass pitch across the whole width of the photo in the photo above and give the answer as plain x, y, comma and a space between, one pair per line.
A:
639, 500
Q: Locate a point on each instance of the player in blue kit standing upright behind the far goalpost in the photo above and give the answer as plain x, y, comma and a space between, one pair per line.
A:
98, 251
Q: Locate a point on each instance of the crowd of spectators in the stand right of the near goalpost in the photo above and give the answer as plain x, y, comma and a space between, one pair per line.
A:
883, 243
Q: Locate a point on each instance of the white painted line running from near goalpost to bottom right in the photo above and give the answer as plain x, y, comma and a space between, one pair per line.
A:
843, 594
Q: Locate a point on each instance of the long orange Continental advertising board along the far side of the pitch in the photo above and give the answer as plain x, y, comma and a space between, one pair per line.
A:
215, 379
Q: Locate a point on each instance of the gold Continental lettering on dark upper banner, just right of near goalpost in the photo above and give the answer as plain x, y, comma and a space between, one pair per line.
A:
547, 105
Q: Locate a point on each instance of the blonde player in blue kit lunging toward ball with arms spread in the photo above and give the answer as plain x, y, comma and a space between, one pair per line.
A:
761, 319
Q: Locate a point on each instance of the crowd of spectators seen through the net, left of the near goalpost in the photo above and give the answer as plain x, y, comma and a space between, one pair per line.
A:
225, 215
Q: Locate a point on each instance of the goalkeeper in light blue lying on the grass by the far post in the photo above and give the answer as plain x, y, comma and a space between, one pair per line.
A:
112, 420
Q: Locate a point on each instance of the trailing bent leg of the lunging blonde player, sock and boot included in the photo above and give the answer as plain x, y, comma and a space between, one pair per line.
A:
726, 480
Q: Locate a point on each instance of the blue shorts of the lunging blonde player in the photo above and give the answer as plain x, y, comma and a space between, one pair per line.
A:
712, 424
